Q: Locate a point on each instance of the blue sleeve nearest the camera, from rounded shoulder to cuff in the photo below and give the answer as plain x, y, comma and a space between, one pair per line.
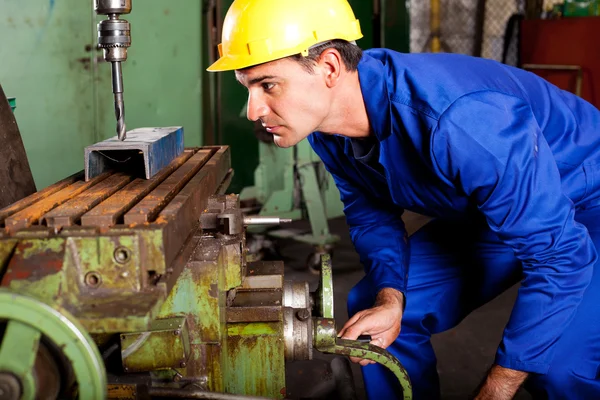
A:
490, 146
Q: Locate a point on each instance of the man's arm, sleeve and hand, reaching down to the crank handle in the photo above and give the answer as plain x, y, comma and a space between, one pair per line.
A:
379, 237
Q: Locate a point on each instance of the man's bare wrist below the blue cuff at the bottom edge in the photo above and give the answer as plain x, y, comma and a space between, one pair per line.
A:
501, 384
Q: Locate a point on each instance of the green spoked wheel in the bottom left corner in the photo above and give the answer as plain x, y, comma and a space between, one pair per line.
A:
46, 349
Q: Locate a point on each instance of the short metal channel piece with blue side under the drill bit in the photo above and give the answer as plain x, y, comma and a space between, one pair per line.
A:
146, 152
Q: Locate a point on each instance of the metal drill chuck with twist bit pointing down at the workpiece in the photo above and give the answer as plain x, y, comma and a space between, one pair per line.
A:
114, 37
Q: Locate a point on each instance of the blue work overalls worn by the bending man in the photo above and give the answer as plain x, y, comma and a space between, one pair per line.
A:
509, 167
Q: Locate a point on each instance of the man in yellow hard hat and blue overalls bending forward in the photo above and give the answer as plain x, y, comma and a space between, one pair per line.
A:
507, 164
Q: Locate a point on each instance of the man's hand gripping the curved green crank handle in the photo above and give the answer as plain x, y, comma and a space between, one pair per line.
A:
382, 321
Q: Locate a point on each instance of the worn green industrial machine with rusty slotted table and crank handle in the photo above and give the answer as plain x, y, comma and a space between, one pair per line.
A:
125, 287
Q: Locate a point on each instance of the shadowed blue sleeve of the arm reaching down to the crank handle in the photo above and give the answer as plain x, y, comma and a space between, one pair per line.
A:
377, 233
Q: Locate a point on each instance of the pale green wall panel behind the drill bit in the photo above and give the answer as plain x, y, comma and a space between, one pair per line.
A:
50, 63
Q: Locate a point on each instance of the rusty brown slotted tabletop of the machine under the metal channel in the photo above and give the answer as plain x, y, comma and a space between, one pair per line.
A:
113, 199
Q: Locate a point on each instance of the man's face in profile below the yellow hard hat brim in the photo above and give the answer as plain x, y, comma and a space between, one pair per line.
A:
290, 102
